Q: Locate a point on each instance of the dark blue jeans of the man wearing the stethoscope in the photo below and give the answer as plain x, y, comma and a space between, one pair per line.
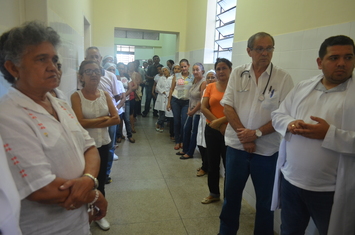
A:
239, 165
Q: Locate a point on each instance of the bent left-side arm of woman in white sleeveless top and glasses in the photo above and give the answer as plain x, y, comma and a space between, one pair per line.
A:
86, 123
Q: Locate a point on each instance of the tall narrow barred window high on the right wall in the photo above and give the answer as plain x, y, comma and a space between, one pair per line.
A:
224, 34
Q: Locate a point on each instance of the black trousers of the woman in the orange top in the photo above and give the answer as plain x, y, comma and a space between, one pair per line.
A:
216, 148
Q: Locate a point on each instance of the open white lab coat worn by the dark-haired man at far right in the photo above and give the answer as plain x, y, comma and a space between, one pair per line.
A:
339, 139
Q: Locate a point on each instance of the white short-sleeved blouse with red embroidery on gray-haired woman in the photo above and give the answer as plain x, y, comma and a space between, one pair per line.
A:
39, 148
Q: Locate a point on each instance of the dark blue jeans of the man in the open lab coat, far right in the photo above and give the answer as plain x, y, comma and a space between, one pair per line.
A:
298, 205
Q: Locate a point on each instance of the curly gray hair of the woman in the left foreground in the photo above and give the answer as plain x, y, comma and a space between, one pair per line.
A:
14, 43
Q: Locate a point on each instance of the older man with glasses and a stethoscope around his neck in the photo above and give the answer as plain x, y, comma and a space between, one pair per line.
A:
254, 90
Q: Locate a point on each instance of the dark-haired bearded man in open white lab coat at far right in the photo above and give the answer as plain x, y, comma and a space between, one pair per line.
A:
317, 154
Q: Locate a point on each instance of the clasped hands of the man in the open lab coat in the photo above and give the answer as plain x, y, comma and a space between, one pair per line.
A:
313, 131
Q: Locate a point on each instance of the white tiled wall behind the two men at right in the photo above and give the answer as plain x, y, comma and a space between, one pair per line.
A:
297, 53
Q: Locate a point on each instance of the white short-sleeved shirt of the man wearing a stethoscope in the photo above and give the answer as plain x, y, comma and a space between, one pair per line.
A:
243, 94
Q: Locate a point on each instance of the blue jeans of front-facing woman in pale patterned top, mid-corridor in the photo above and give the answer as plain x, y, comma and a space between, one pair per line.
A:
179, 108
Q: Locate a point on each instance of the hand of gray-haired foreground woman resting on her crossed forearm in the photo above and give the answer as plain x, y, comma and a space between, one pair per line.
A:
79, 190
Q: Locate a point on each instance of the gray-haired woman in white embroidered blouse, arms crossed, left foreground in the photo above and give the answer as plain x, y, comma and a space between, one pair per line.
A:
52, 159
